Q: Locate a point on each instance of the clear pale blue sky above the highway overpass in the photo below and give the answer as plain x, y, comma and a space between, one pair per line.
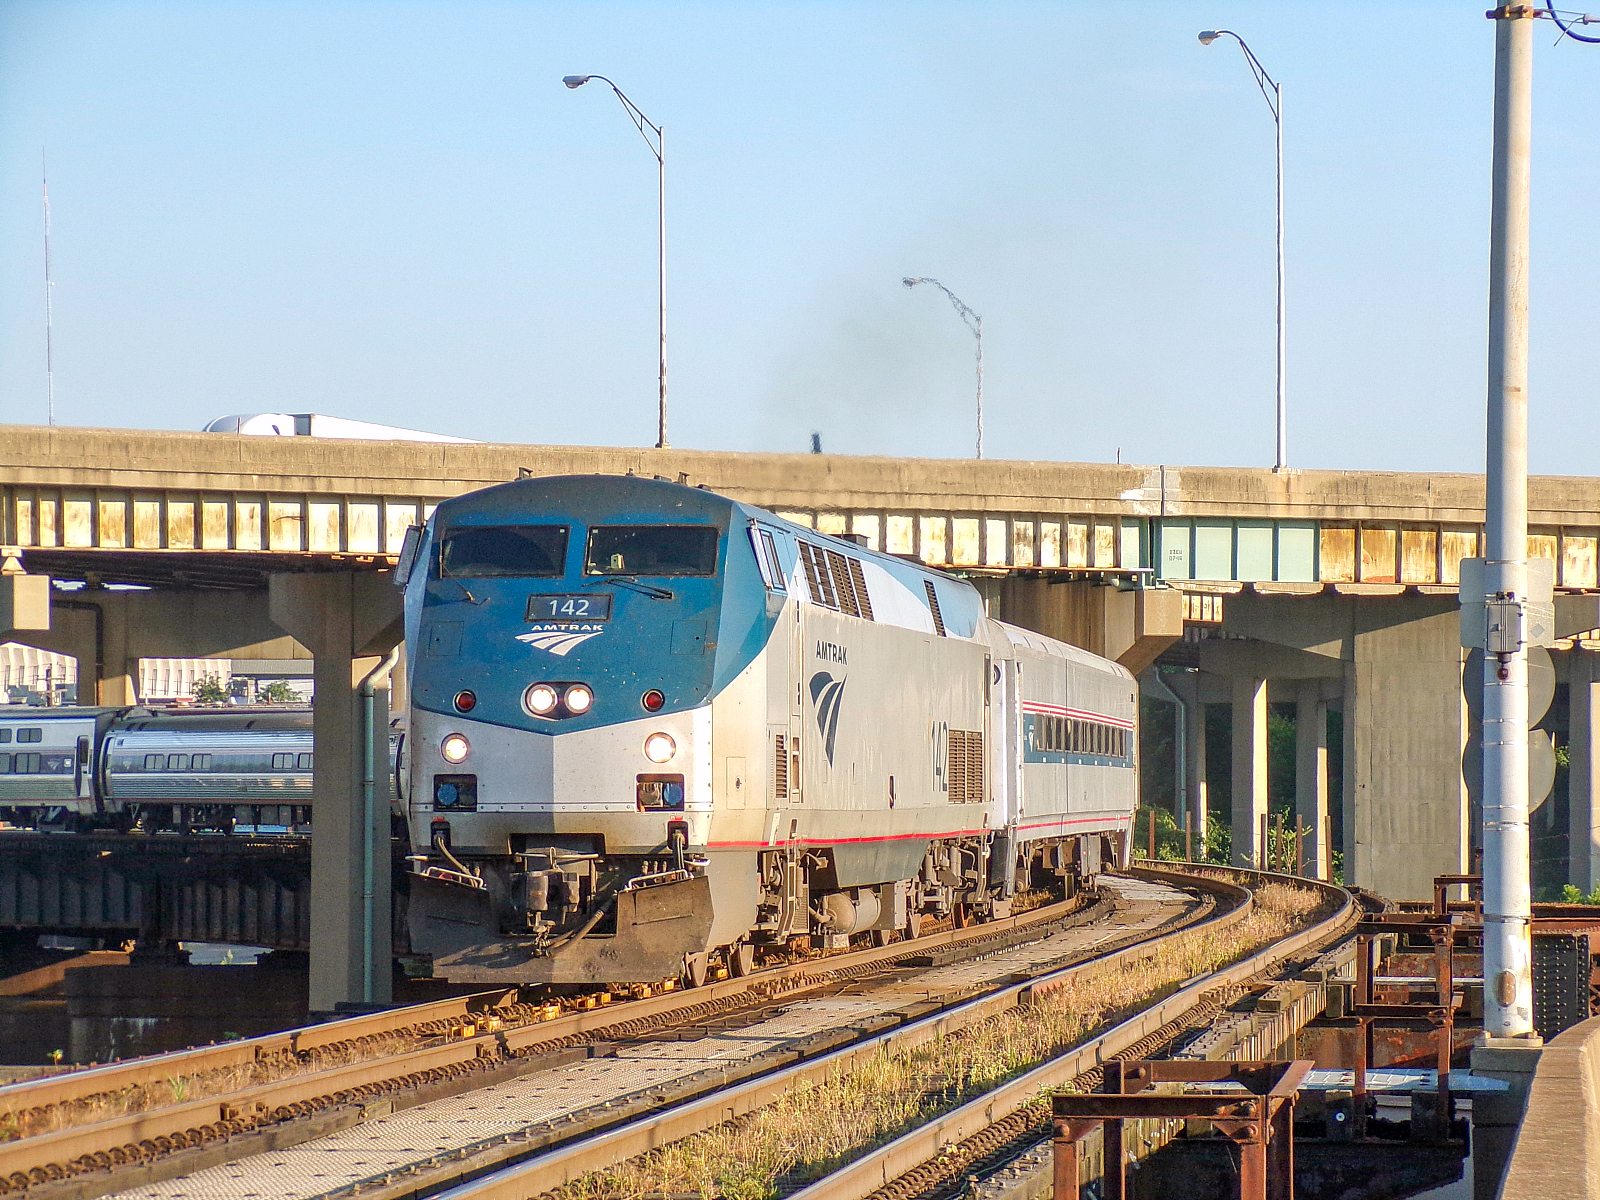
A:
396, 212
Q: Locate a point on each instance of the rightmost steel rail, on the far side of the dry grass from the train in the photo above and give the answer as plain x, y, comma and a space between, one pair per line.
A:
887, 1164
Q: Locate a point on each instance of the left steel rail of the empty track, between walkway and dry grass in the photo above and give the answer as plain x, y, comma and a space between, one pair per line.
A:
569, 1162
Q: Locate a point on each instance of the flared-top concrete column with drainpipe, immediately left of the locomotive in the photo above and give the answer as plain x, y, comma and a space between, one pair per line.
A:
348, 622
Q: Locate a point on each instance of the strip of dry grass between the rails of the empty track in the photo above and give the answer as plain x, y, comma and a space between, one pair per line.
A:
815, 1129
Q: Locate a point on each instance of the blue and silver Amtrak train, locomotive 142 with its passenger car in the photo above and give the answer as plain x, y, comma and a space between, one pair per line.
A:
655, 729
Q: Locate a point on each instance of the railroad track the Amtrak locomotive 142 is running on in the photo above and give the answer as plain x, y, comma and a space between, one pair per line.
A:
290, 1089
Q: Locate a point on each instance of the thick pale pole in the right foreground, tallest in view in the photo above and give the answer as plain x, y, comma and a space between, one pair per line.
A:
1508, 910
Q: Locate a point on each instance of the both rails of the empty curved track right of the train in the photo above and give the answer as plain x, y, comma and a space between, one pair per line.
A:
927, 1159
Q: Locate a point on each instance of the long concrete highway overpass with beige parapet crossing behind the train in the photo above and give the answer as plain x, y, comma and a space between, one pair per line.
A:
1318, 588
